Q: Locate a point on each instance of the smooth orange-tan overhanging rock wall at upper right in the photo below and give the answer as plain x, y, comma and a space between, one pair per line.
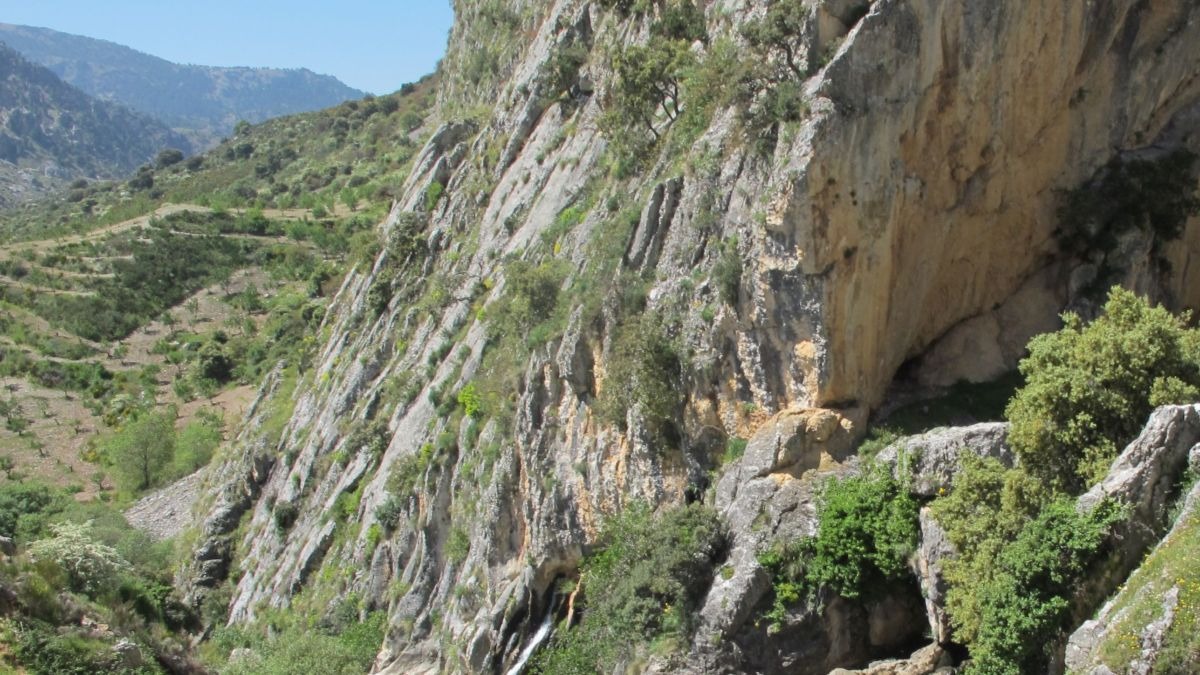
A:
929, 196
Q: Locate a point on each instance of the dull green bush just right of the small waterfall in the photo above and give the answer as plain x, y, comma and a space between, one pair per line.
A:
643, 584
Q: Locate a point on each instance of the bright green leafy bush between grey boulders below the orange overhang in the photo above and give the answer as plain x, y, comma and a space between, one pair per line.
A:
867, 531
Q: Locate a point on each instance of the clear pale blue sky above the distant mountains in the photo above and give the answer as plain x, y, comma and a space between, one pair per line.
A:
371, 45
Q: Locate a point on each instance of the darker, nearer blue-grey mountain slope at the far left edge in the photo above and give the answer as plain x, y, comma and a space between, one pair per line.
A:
51, 133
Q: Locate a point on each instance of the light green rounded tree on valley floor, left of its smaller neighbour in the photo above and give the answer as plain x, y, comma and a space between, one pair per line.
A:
143, 450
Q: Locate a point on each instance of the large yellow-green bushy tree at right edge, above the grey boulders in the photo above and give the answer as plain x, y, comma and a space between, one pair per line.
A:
1090, 389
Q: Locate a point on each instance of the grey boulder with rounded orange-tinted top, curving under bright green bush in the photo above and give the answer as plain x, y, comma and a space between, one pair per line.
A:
767, 498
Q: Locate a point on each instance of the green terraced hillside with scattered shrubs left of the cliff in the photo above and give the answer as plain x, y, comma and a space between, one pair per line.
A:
179, 289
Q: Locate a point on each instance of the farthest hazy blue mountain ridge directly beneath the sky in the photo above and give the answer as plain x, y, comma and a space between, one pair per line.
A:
202, 103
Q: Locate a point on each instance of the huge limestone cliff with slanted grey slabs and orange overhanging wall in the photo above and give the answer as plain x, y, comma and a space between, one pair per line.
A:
911, 213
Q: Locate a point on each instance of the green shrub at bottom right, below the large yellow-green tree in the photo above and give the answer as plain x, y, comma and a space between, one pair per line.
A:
1022, 551
